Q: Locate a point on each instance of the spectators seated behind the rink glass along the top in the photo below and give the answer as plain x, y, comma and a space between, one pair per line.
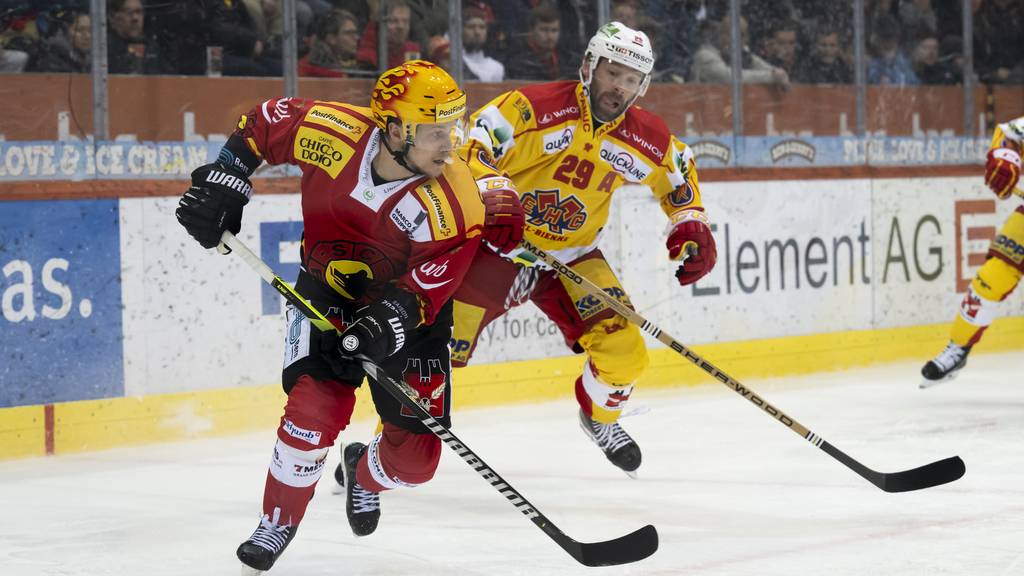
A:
784, 42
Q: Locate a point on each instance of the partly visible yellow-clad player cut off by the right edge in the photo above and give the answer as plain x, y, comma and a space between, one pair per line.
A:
1004, 267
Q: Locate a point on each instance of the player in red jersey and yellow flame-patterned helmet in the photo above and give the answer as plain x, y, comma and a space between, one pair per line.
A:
392, 226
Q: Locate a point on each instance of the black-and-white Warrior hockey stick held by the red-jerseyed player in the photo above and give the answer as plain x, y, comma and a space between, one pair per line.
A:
631, 548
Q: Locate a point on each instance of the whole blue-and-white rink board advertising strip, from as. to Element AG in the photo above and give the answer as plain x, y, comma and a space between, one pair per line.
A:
105, 299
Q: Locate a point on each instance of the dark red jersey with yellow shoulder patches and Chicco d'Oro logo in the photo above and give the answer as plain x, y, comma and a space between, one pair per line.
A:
360, 238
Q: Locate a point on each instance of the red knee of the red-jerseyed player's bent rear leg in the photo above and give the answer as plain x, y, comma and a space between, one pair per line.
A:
398, 458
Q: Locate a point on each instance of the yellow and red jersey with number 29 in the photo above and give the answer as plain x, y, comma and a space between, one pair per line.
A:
566, 169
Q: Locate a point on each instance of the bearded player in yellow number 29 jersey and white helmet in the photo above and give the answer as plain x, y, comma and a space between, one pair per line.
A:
568, 147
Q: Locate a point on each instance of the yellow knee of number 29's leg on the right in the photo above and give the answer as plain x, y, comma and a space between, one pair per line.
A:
617, 351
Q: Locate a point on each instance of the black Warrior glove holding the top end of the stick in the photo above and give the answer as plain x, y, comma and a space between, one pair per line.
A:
215, 203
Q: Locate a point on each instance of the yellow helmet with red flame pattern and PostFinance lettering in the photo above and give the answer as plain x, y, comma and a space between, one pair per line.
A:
417, 93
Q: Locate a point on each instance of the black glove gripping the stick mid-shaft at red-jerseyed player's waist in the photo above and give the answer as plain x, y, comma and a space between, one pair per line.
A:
380, 328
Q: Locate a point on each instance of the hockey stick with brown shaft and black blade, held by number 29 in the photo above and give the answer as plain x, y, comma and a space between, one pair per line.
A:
928, 476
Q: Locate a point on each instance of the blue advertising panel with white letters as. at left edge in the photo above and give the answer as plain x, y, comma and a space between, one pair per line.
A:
61, 302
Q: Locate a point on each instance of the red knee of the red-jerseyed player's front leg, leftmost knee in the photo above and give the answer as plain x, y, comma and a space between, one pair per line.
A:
316, 413
